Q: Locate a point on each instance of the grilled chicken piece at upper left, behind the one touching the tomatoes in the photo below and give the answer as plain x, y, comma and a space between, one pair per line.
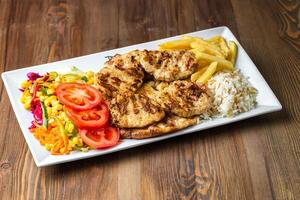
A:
121, 74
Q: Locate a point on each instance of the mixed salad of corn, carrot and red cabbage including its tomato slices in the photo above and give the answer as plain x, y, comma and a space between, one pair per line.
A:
69, 113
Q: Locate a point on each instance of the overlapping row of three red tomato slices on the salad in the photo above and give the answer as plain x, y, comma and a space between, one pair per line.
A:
85, 106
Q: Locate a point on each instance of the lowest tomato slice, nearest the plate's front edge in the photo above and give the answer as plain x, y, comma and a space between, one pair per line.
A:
100, 138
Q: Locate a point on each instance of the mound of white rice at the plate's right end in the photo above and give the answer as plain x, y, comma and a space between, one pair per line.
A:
230, 93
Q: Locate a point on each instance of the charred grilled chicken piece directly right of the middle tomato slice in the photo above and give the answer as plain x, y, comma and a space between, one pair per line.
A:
134, 111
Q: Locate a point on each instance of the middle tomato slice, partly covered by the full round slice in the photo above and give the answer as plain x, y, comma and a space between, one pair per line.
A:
96, 117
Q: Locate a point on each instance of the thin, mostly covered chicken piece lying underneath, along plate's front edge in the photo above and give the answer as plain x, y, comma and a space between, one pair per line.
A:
167, 125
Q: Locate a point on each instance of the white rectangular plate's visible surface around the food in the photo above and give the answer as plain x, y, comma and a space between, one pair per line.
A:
267, 101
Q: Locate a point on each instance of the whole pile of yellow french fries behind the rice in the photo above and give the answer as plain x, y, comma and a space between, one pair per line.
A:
213, 55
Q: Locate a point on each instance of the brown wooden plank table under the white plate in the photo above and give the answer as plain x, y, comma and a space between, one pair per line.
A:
257, 158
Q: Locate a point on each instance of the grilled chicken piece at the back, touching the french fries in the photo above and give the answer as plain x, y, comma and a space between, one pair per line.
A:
168, 65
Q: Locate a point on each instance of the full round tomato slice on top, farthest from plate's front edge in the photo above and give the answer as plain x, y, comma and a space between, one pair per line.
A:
78, 96
